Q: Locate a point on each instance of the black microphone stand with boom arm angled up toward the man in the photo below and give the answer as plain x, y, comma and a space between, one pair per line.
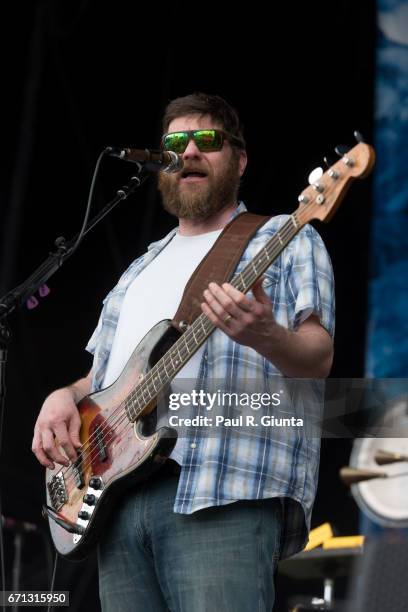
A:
18, 297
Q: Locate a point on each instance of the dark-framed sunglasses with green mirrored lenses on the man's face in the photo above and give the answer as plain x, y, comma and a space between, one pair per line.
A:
205, 140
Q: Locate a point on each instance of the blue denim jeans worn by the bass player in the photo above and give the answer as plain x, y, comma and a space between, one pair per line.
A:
218, 559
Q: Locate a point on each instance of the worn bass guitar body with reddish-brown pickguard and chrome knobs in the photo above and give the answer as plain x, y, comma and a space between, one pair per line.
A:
116, 454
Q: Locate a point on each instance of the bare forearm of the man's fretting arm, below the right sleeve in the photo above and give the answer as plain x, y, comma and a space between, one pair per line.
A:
306, 353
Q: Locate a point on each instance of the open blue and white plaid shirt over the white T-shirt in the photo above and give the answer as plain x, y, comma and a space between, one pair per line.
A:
237, 465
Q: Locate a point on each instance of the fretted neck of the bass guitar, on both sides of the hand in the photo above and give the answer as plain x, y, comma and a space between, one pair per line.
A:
197, 333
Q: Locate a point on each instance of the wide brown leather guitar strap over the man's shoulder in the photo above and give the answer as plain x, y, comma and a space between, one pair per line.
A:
217, 266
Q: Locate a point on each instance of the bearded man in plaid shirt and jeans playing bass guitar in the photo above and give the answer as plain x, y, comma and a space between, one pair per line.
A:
208, 536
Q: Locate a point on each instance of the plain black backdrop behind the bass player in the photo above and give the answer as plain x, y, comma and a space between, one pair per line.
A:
81, 75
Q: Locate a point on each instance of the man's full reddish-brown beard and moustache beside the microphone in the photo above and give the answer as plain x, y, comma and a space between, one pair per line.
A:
202, 200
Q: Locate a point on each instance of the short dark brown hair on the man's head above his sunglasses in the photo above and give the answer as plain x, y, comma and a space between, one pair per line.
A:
204, 104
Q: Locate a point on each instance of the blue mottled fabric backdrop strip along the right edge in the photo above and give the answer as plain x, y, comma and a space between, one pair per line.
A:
387, 337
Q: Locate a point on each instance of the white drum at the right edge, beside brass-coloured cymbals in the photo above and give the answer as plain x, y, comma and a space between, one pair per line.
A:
384, 500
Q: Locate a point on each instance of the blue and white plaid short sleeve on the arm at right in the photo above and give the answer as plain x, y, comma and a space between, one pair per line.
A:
310, 281
